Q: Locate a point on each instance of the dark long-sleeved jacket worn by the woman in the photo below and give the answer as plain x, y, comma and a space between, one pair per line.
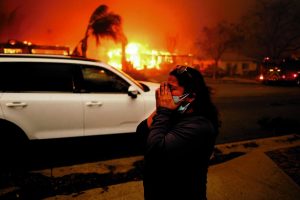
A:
177, 152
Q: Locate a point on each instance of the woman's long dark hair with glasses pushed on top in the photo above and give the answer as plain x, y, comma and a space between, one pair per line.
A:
193, 82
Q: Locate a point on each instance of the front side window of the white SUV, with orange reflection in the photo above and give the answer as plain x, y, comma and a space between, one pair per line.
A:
98, 79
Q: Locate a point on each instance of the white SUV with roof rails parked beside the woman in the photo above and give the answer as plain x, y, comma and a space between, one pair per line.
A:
46, 97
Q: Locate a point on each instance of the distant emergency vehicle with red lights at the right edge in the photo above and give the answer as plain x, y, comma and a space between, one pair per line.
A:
283, 71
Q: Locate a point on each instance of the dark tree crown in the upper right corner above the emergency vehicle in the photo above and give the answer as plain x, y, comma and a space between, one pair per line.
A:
272, 29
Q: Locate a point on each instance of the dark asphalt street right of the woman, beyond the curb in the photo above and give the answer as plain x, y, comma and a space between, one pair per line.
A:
251, 111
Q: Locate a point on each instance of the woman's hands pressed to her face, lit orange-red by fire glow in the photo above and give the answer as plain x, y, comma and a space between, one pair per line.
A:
164, 97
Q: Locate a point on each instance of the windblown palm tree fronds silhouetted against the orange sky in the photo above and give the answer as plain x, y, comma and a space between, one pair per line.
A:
102, 23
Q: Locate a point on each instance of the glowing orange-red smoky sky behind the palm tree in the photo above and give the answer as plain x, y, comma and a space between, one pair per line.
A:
147, 21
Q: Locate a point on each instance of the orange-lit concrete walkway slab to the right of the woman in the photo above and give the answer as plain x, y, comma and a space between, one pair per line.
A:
251, 177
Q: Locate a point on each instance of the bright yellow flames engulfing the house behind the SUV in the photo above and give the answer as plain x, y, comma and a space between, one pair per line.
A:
139, 56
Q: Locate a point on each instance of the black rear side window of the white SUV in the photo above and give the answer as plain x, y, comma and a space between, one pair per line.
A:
30, 76
